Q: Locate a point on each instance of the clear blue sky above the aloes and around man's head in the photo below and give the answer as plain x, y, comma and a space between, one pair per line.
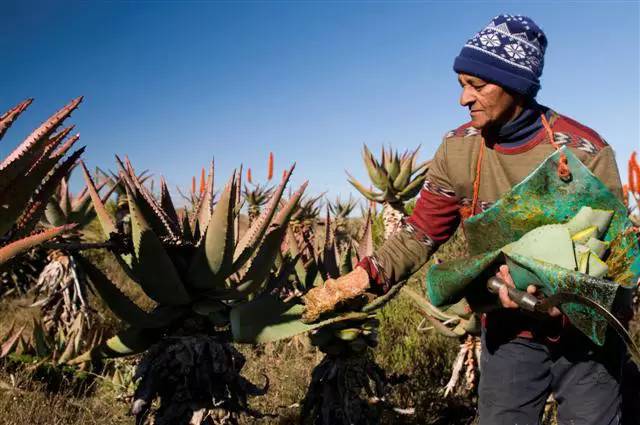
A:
173, 84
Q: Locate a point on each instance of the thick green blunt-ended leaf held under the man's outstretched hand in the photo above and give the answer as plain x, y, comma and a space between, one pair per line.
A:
267, 318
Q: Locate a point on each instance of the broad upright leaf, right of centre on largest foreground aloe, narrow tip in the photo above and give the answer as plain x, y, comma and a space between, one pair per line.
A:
212, 262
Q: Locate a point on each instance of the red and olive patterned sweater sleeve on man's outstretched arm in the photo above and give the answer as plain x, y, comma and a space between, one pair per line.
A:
433, 221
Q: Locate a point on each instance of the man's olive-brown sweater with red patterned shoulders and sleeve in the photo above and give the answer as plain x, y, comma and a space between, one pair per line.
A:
449, 187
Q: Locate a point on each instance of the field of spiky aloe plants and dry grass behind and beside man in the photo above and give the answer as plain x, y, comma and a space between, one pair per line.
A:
122, 304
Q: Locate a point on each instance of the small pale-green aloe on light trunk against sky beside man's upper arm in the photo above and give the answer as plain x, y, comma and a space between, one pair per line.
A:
398, 178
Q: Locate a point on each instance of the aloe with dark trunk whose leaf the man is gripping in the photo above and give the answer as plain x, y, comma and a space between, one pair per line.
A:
347, 386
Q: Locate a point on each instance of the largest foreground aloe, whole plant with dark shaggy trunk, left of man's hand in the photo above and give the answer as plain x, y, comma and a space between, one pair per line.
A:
195, 272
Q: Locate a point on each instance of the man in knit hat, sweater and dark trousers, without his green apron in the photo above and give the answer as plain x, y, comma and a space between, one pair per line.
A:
524, 359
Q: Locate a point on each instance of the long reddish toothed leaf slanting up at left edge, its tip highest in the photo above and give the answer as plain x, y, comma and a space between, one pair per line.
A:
20, 160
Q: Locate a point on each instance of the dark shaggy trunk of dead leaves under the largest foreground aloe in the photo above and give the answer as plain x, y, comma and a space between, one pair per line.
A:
213, 369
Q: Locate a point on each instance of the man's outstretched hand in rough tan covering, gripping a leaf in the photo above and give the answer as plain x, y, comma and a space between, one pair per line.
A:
325, 298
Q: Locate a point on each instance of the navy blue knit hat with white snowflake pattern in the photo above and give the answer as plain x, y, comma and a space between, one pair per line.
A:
508, 52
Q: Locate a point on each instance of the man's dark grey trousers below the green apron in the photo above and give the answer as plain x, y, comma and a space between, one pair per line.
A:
517, 375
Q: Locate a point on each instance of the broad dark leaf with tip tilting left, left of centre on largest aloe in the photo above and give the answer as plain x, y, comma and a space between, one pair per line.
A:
151, 264
